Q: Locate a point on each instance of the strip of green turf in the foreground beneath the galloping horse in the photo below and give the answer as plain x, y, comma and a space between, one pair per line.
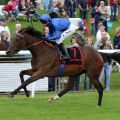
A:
73, 106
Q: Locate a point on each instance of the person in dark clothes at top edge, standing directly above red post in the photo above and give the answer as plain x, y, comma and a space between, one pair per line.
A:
83, 9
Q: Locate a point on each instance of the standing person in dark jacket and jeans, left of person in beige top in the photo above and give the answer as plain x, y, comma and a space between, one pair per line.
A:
95, 18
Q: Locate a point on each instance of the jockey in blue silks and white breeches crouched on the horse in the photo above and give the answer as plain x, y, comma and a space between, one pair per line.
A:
59, 29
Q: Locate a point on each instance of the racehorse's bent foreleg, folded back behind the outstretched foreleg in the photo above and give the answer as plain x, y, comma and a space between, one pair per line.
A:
22, 73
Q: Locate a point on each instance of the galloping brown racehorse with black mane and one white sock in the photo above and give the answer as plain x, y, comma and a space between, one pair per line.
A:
46, 62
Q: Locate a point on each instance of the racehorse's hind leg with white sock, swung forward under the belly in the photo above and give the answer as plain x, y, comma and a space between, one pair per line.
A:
69, 86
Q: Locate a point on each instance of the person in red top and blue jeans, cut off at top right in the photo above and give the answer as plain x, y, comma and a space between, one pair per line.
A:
113, 5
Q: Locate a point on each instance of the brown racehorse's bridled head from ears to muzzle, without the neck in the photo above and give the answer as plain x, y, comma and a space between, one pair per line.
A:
17, 43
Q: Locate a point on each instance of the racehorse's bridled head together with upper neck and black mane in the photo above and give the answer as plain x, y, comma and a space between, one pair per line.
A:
25, 38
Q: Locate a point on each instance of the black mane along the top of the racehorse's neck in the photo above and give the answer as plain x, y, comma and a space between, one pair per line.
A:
33, 32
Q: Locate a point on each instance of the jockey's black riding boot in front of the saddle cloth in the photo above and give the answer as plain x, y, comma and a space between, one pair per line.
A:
64, 52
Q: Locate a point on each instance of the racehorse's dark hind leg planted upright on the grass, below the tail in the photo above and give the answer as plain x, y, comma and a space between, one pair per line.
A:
99, 88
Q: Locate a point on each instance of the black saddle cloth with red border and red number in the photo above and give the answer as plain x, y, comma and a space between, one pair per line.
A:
75, 56
